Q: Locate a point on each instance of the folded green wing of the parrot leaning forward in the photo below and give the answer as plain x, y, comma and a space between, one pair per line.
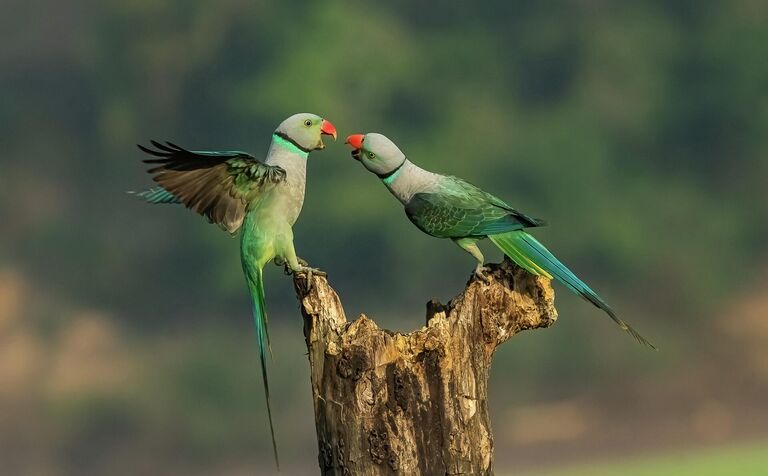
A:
458, 209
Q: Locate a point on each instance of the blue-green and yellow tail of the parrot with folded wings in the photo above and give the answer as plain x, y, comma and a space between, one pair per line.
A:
531, 255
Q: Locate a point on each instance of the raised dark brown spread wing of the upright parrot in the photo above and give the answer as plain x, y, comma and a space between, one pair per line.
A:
217, 185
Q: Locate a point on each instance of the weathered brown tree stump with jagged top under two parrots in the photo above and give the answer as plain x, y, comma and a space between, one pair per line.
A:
417, 403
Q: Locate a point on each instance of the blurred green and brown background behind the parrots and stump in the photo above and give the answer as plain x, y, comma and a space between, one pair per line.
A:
637, 129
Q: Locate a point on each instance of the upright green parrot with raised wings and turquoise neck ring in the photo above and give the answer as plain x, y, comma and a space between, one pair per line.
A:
237, 191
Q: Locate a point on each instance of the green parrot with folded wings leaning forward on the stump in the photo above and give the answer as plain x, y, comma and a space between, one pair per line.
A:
448, 207
